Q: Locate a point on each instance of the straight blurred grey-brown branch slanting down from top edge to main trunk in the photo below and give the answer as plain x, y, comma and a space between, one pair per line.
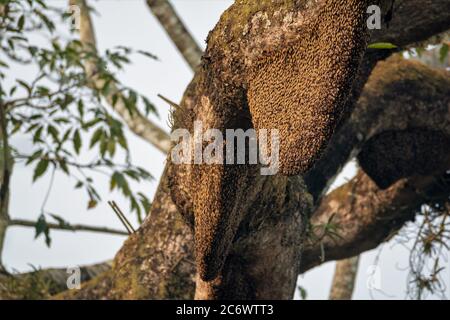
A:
177, 31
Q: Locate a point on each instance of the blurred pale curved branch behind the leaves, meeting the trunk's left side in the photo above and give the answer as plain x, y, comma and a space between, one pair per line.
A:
137, 122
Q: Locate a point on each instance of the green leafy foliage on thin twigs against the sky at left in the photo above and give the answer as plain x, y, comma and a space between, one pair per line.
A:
60, 111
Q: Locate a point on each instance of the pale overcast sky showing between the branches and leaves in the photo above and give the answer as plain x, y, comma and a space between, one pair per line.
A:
130, 23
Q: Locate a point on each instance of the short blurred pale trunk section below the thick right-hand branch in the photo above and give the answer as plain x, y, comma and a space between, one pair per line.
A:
344, 279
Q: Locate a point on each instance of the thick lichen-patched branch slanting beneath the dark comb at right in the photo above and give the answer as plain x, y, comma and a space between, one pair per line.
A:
366, 215
